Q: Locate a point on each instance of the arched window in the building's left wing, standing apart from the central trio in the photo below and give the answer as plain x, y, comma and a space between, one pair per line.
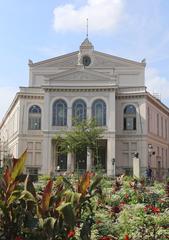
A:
34, 119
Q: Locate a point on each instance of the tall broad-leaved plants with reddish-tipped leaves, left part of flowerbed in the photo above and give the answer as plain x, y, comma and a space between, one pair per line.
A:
53, 213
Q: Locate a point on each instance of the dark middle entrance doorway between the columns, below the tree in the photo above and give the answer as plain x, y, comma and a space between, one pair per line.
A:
81, 161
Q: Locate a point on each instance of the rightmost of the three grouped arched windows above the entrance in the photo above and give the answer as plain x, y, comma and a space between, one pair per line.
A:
99, 112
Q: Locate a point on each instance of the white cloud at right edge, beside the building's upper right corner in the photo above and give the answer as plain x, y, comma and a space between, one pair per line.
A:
157, 84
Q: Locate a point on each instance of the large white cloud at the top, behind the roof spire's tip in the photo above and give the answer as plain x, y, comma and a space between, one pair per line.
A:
103, 15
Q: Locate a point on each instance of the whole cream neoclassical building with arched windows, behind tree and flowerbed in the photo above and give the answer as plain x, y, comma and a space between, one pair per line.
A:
87, 84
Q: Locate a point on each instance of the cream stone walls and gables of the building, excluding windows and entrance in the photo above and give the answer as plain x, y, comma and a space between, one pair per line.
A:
115, 80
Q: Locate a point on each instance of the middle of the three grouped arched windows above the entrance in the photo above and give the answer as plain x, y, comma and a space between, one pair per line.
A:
78, 111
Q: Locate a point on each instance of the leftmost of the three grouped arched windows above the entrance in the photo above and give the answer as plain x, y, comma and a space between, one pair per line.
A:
59, 113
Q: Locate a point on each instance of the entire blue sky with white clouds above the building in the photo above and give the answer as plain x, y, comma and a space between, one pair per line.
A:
41, 29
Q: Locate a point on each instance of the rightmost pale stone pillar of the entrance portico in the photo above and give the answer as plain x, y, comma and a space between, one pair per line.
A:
110, 156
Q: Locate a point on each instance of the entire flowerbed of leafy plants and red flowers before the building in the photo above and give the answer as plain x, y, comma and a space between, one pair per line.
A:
89, 207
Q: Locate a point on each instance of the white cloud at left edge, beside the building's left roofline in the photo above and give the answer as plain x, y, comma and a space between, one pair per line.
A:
7, 94
